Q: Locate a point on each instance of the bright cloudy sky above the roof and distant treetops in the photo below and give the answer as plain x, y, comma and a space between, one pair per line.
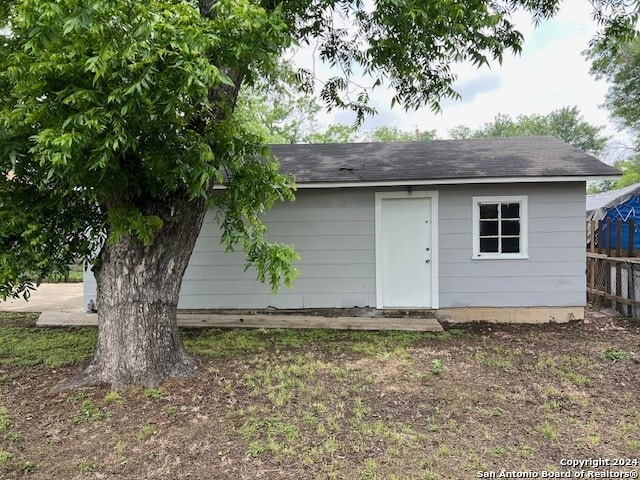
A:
550, 73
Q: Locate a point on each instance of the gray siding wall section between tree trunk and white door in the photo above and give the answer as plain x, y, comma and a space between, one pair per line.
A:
332, 231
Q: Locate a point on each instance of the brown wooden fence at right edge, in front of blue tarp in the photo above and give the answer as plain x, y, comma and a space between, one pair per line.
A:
613, 273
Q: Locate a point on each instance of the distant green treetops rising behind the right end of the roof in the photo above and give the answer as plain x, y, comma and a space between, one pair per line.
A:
566, 124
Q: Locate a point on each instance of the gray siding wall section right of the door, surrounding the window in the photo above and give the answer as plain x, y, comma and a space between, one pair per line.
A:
554, 273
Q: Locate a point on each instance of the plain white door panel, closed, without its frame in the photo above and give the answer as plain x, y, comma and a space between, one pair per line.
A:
405, 252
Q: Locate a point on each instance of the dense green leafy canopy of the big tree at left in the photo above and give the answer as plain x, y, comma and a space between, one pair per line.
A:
110, 106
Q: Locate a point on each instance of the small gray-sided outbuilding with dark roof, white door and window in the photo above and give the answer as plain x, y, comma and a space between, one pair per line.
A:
489, 229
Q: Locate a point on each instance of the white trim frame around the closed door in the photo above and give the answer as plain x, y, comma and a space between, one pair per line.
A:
379, 197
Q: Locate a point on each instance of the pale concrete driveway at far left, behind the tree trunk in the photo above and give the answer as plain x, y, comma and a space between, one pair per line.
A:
49, 297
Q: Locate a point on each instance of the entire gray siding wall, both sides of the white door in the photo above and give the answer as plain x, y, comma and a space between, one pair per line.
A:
333, 231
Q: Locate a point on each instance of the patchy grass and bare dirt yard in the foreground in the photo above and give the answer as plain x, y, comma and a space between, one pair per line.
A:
319, 404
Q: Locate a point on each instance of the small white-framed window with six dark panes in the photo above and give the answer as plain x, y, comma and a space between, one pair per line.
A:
500, 227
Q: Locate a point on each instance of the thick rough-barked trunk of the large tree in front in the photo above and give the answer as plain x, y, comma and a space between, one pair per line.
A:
137, 298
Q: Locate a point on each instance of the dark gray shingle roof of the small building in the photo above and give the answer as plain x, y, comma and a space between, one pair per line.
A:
438, 160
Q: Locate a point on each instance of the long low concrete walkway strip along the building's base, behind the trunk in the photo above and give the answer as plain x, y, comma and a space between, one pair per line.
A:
204, 320
